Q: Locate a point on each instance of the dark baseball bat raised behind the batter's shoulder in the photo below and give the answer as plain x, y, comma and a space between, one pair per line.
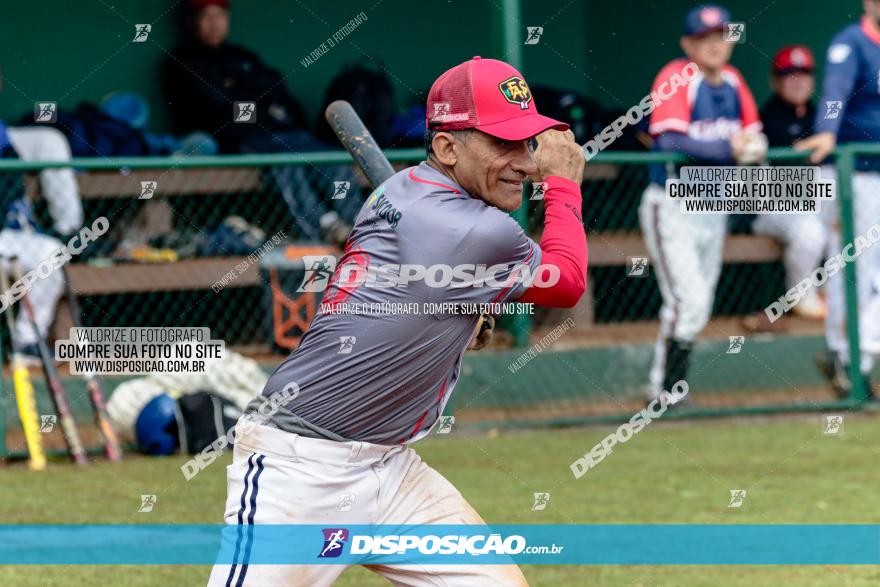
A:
358, 141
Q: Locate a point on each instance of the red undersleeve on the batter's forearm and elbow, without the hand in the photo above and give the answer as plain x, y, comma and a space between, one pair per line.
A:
563, 244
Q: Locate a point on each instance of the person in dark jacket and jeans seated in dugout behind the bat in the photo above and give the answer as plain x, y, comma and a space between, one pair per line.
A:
208, 82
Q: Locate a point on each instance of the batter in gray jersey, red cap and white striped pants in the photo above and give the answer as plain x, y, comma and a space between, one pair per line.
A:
382, 356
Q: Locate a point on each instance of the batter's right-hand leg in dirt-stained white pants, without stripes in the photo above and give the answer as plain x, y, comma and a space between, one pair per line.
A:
412, 493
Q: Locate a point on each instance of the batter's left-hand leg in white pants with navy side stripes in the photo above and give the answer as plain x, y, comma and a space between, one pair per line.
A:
271, 483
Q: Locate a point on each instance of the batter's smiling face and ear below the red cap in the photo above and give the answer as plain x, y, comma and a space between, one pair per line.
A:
492, 169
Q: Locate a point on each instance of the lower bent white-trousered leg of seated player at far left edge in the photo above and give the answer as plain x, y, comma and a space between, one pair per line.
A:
32, 248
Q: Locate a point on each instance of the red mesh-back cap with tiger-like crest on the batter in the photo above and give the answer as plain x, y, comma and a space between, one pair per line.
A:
490, 96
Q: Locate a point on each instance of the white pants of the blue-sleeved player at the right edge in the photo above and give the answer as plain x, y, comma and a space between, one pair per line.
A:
866, 208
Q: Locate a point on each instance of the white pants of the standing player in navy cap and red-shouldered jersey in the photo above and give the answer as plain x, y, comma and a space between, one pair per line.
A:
686, 252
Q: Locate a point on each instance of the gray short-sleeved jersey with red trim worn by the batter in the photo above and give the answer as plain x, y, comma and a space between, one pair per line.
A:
384, 377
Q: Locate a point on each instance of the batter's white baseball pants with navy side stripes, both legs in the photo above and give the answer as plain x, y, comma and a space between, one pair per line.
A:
281, 478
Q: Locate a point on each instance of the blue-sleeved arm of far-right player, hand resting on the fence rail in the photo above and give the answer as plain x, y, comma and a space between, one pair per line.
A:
841, 69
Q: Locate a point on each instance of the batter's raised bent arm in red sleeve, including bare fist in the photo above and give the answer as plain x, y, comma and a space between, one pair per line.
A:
564, 241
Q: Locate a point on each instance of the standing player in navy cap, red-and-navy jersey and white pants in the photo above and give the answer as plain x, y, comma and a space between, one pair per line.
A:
710, 119
